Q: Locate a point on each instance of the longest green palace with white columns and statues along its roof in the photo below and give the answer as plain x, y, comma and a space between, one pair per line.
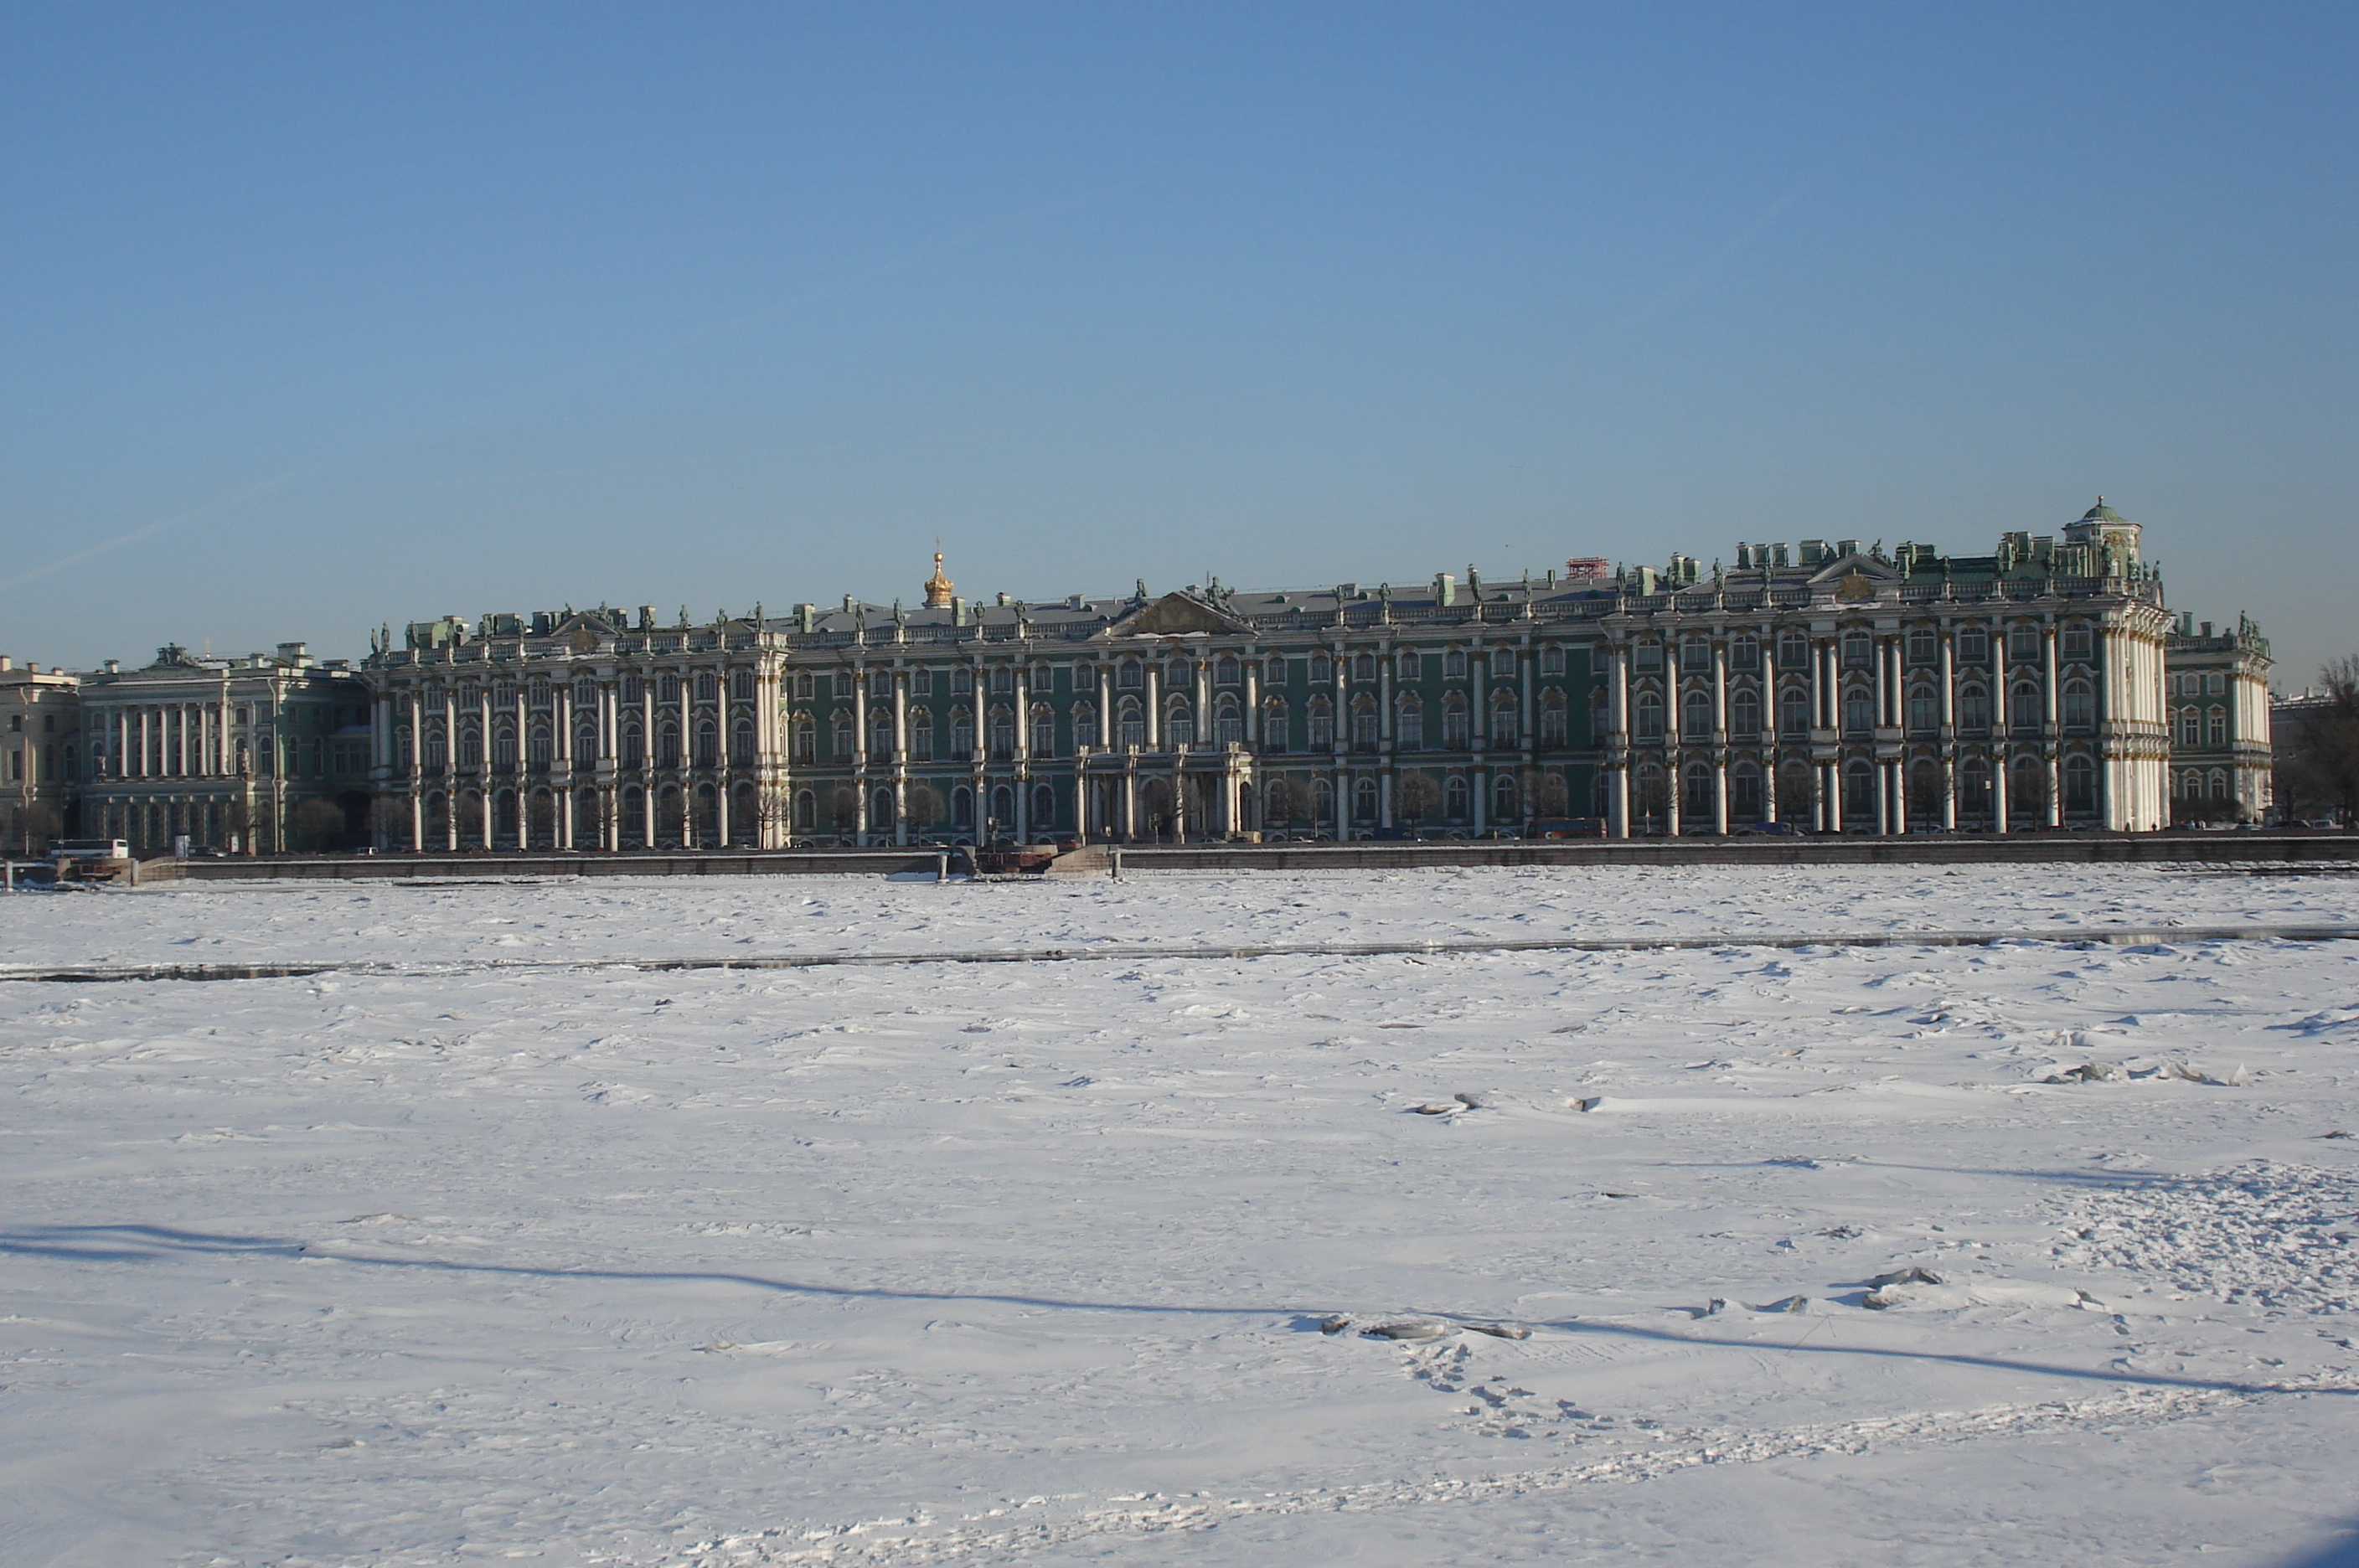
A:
1827, 685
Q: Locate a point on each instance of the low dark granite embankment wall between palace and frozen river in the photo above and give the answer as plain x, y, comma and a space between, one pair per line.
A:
2261, 850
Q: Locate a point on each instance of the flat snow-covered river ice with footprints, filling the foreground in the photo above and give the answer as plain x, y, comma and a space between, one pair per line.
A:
1079, 1263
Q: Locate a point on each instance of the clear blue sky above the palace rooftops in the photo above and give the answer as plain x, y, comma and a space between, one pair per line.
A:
320, 317
